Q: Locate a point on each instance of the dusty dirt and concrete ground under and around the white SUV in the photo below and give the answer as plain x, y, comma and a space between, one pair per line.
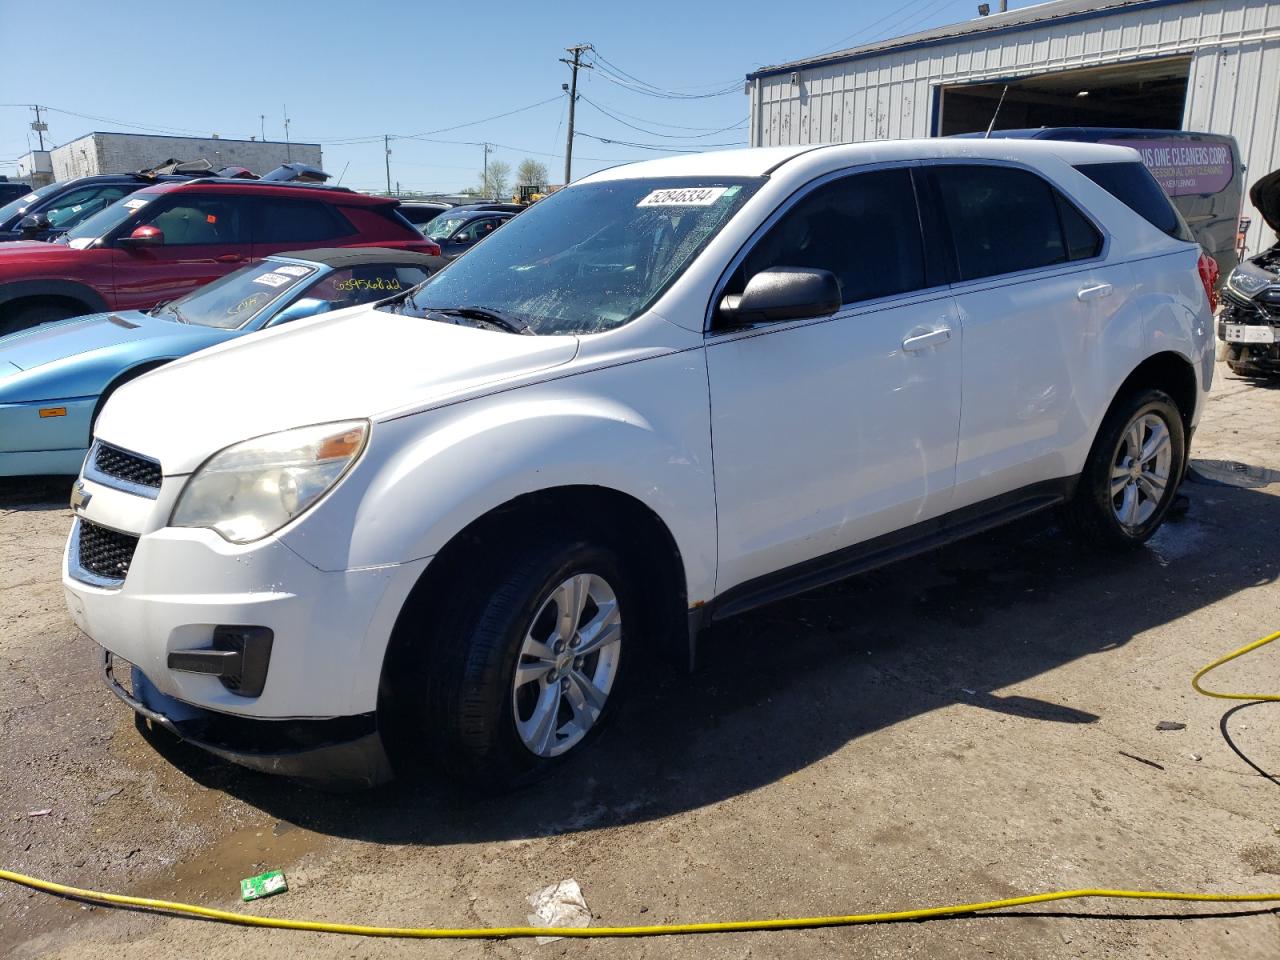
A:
976, 724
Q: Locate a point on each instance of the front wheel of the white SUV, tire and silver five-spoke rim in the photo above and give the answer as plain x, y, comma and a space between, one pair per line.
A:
527, 670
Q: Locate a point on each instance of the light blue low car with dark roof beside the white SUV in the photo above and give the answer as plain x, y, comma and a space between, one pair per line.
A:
56, 378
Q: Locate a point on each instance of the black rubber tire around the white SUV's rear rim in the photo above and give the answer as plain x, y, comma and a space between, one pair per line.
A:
1092, 514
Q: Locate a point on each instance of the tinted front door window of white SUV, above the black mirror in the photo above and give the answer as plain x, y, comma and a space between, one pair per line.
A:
862, 228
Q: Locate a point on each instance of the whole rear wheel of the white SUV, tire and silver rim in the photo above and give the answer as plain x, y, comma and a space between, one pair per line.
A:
1132, 476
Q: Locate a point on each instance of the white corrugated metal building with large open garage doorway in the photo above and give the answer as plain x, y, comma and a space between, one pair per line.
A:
1210, 66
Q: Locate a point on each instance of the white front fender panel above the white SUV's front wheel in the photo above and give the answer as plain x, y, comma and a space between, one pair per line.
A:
642, 429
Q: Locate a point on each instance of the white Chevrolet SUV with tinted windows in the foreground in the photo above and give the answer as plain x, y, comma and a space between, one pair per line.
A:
454, 524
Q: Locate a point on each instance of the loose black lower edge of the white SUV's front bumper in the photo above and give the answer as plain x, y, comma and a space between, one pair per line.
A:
340, 753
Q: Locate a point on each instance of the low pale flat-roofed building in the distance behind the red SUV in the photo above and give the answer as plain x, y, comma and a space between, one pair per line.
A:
126, 153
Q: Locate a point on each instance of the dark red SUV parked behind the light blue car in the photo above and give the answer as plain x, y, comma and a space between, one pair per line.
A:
163, 241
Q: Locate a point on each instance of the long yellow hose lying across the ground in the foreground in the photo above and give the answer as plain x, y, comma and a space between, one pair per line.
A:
661, 930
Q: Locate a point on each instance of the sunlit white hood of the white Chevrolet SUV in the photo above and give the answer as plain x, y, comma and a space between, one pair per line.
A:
355, 364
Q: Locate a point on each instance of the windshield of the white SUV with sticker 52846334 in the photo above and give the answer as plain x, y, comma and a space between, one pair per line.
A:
589, 258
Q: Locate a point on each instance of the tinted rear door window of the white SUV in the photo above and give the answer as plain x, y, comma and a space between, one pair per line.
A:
1004, 221
